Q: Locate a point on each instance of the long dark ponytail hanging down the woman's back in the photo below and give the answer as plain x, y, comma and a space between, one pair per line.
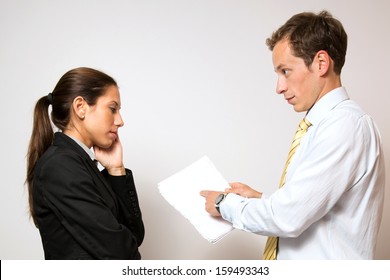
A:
41, 138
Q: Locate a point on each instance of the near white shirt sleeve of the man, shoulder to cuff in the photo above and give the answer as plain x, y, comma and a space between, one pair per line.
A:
331, 162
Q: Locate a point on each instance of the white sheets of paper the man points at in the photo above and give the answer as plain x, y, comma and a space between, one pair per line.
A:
182, 189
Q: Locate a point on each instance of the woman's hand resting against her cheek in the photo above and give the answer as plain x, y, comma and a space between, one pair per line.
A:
111, 158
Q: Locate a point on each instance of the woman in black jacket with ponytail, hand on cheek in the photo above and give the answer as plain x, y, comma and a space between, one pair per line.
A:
81, 212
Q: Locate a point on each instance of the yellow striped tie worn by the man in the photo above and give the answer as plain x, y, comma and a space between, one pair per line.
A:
271, 246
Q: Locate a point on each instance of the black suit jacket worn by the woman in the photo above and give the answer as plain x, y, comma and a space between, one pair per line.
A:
83, 213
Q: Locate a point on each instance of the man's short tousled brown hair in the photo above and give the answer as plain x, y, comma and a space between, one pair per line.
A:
309, 33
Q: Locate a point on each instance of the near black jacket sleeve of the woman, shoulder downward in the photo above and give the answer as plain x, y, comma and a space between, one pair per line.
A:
88, 210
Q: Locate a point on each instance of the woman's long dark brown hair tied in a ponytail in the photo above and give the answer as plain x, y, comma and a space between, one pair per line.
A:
85, 82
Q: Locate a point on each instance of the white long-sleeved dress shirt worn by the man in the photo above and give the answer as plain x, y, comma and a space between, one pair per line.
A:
331, 204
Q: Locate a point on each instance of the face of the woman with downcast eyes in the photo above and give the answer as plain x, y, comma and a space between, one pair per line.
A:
102, 120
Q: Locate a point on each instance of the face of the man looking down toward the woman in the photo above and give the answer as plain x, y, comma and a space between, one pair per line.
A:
298, 83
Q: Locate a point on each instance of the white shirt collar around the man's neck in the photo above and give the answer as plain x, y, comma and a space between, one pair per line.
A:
325, 104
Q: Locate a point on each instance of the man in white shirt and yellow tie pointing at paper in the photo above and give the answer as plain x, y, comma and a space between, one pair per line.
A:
330, 200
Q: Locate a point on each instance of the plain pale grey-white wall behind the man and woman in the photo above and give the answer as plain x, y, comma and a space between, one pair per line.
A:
196, 79
